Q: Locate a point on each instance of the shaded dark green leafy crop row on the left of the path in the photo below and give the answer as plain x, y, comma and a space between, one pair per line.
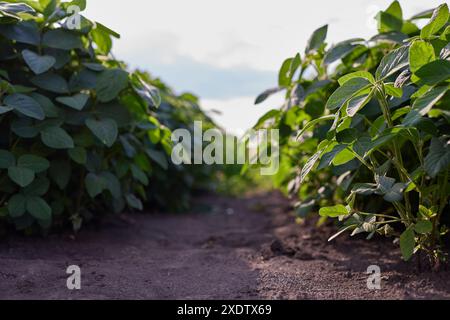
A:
79, 134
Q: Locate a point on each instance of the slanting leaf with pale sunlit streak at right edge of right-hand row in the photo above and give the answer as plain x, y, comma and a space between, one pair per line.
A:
423, 105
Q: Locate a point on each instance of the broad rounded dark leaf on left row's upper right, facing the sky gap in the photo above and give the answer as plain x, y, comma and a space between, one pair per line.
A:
110, 83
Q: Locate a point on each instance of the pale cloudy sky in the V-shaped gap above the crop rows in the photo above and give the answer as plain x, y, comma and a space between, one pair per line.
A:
227, 52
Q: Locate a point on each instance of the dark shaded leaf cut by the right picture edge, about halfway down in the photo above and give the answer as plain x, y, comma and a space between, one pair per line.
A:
438, 158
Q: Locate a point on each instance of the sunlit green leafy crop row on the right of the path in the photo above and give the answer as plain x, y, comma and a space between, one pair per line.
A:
366, 139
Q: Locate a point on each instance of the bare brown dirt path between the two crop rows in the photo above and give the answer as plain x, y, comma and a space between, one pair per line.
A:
225, 249
